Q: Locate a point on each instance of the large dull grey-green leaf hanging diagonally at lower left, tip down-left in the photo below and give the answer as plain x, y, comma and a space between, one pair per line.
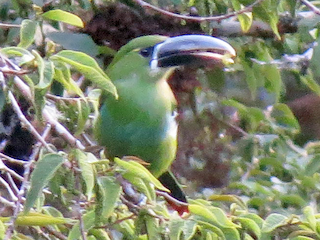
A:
44, 170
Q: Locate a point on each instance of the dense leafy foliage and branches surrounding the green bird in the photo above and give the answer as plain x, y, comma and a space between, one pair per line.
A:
251, 129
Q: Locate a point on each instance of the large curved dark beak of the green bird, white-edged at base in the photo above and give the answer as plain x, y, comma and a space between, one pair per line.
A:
192, 50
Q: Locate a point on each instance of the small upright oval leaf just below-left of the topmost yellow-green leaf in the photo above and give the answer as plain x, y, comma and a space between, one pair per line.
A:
27, 33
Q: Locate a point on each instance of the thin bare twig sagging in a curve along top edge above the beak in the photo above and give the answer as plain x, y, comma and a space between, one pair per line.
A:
197, 19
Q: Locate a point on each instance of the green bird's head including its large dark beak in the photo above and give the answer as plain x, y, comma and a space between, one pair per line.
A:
157, 52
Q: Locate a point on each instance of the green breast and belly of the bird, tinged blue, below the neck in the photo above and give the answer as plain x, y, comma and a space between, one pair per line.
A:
139, 123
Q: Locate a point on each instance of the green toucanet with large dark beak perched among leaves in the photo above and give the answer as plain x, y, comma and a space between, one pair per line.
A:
141, 120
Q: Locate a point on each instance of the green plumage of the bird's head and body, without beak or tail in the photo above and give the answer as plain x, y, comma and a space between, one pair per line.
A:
139, 122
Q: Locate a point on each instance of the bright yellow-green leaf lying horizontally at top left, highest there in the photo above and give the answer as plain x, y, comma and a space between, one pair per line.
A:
63, 16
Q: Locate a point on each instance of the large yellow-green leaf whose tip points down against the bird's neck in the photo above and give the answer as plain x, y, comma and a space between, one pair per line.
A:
87, 66
